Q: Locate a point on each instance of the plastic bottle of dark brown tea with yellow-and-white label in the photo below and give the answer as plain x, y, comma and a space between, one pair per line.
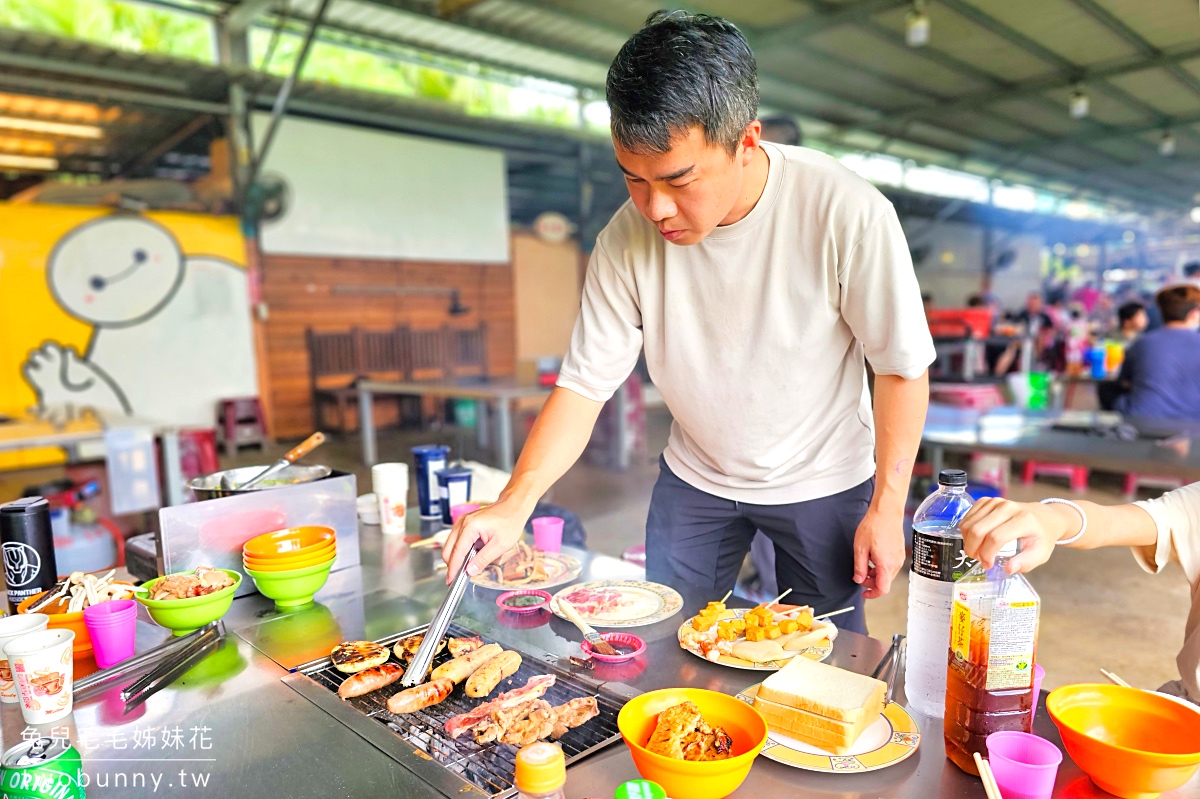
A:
989, 684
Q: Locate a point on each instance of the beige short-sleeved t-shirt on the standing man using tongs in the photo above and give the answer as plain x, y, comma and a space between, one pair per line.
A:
757, 335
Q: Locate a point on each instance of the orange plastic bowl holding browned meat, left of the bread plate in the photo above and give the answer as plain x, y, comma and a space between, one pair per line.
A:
711, 780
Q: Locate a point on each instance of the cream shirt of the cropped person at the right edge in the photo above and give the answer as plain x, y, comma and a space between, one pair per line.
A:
1178, 516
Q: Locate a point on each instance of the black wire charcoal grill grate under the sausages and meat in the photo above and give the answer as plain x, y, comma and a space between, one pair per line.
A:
418, 741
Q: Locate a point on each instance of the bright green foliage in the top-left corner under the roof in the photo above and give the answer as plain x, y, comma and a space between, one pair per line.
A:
116, 23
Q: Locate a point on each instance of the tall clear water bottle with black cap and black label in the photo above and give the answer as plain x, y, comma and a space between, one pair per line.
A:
938, 561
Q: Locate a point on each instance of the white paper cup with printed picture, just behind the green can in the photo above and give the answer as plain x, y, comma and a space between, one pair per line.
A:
44, 669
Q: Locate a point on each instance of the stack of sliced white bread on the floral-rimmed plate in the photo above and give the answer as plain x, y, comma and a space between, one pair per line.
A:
825, 690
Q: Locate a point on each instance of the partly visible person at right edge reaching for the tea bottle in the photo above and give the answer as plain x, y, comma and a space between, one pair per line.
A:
1159, 531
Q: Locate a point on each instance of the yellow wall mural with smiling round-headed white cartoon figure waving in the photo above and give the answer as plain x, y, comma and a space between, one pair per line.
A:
145, 316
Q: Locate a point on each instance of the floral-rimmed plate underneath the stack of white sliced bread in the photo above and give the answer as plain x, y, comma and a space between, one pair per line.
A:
893, 738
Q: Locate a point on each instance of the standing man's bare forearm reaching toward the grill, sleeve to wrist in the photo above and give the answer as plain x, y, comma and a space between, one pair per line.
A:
559, 437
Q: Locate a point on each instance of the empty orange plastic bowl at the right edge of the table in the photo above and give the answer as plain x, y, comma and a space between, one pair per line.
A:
1131, 743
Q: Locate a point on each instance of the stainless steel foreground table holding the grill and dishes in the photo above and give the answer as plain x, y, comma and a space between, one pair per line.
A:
233, 724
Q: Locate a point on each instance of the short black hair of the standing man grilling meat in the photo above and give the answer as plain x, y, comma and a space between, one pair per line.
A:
680, 71
